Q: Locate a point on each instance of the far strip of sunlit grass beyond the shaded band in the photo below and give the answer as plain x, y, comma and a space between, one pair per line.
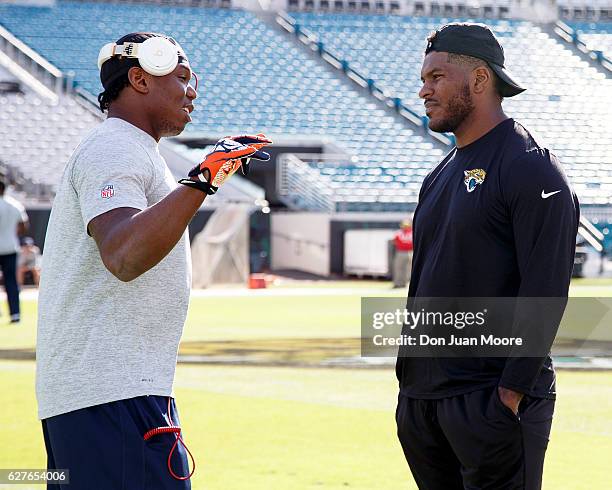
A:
266, 317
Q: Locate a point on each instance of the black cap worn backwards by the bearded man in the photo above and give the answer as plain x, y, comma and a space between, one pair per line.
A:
478, 41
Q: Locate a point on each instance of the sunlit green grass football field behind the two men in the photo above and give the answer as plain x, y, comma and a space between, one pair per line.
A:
269, 427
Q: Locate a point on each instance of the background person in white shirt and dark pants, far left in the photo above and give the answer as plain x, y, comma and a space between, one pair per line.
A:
13, 223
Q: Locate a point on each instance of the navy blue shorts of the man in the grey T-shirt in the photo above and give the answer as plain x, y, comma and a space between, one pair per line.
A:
103, 446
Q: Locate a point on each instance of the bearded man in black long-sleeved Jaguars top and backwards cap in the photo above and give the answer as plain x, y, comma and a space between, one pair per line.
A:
496, 218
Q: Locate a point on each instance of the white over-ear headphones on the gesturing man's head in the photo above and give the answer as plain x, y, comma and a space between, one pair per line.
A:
157, 56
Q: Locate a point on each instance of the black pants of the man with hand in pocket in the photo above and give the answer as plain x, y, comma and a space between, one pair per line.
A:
474, 441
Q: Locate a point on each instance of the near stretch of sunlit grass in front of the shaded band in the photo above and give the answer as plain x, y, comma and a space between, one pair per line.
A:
262, 428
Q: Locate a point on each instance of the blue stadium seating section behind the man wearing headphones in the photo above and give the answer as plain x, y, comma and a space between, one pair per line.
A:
252, 77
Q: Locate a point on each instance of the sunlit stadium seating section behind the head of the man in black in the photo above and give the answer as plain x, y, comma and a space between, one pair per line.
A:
567, 104
